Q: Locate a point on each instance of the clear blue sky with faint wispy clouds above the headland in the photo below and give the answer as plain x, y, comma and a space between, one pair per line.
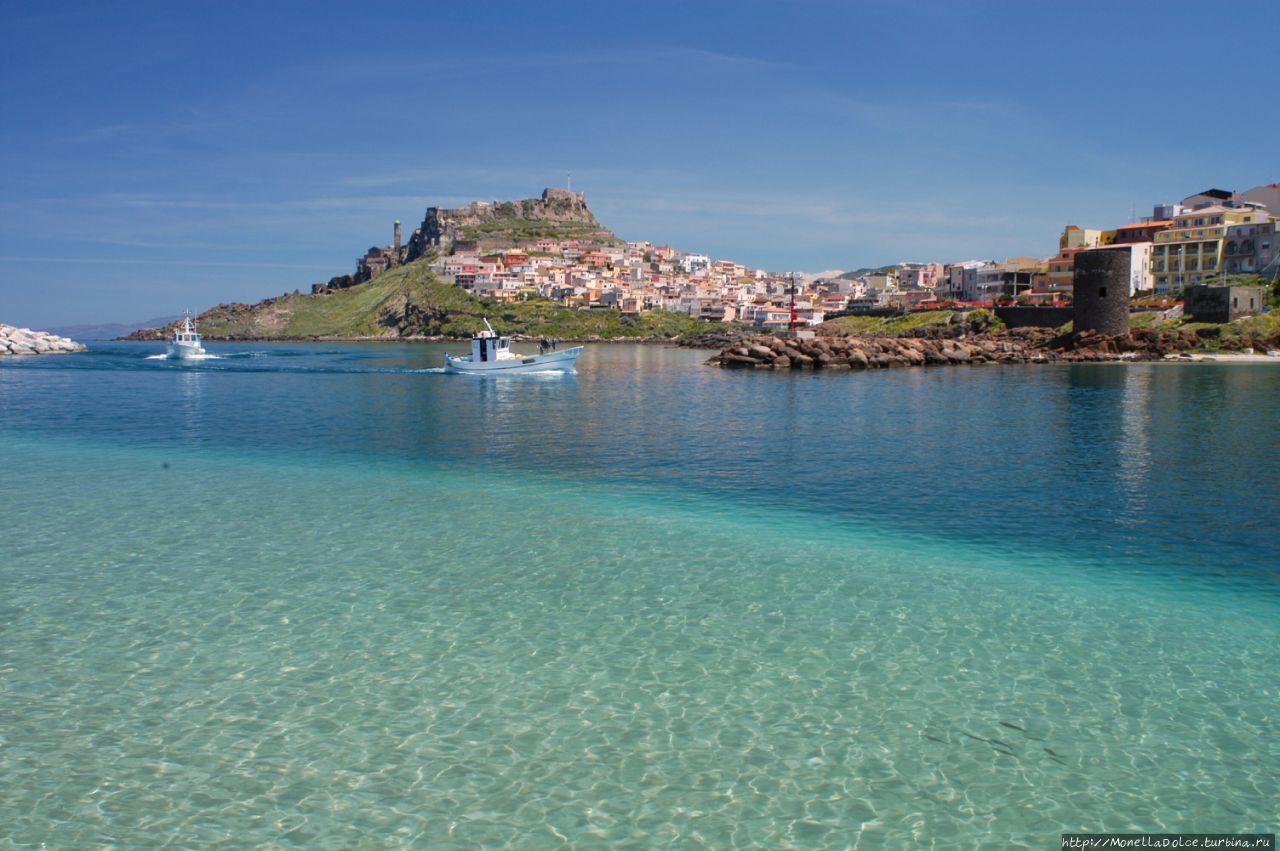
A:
157, 157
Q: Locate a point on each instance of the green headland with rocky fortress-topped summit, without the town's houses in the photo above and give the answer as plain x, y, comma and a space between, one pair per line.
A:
394, 295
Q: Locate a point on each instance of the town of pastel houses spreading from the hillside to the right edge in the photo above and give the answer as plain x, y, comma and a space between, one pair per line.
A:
1197, 241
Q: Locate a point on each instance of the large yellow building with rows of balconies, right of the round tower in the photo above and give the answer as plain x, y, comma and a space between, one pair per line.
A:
1191, 253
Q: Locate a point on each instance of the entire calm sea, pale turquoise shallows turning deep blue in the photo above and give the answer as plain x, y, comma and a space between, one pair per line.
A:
648, 605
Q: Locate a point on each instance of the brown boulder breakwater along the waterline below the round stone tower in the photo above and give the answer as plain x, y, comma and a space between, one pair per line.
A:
1018, 346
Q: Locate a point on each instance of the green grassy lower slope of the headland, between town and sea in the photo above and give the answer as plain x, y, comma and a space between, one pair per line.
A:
410, 303
